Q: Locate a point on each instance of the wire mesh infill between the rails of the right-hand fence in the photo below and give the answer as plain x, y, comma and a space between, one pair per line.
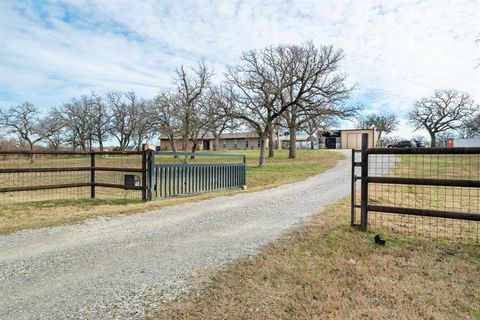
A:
444, 167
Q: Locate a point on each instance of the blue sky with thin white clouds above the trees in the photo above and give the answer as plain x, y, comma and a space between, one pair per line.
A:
395, 51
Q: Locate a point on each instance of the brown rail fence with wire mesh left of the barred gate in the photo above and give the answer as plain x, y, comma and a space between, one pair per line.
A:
30, 176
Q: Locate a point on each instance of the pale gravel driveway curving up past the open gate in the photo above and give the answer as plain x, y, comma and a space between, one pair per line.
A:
125, 267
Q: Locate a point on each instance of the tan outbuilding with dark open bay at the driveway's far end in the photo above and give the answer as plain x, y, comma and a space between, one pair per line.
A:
347, 138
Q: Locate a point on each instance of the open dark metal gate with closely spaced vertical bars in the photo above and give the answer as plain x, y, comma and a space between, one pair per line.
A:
183, 178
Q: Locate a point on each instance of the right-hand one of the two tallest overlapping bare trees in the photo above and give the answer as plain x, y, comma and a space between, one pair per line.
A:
317, 89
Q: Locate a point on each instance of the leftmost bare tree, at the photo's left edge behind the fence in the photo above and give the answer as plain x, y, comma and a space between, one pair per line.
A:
23, 120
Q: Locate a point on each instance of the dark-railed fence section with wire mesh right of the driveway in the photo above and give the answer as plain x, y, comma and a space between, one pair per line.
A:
432, 192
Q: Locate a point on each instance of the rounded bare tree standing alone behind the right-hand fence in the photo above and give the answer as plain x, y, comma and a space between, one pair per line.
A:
446, 110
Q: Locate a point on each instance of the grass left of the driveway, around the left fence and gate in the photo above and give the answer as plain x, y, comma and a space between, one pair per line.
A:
35, 214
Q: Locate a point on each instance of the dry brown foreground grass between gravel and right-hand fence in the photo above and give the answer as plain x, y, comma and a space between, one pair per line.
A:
328, 270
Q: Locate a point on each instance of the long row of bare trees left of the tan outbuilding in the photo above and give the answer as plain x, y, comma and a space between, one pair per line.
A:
296, 87
